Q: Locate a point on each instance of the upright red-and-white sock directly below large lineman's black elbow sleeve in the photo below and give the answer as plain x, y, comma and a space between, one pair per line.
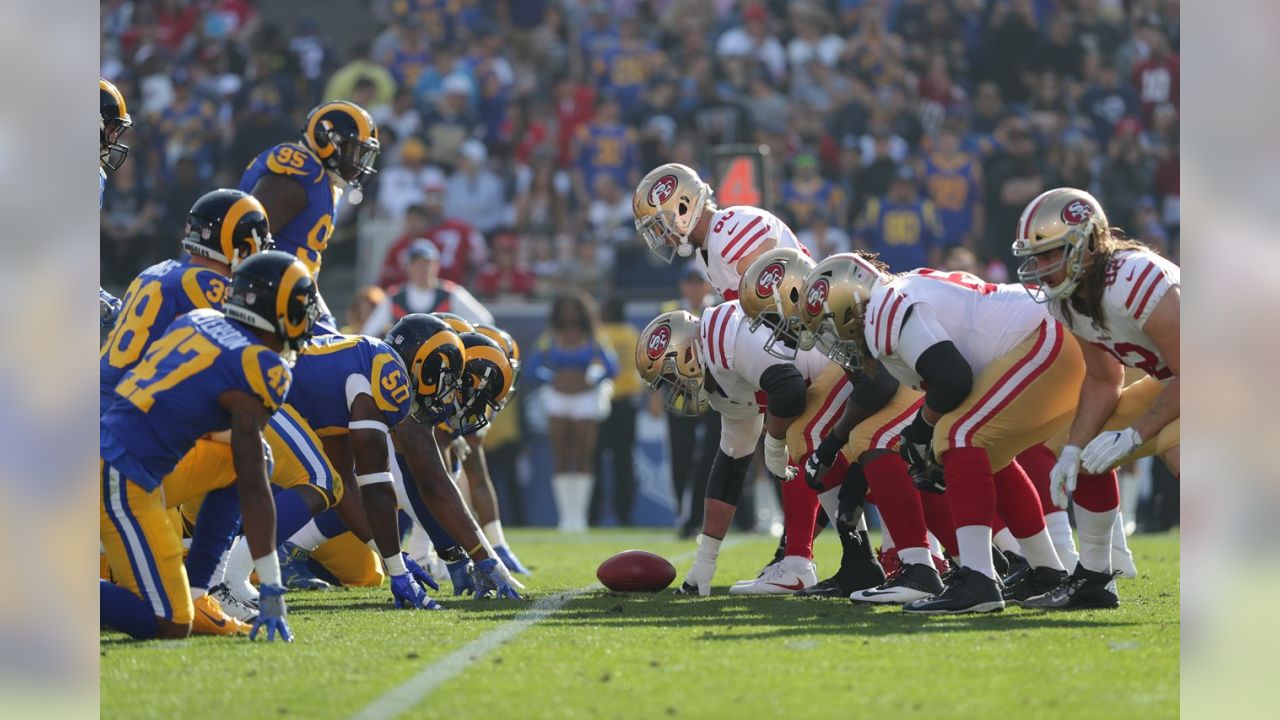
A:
972, 496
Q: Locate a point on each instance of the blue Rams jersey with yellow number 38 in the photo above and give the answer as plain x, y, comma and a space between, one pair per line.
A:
156, 299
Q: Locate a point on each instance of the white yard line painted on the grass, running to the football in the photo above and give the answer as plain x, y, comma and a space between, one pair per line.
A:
413, 691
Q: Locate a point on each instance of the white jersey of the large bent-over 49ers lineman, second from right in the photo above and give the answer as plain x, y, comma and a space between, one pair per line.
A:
985, 321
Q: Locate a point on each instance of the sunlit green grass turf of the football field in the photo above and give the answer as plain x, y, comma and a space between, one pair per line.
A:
611, 655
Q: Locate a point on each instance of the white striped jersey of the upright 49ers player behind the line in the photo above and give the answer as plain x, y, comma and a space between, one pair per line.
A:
737, 233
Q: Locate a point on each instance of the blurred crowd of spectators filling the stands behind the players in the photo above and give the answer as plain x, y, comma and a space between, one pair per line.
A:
514, 131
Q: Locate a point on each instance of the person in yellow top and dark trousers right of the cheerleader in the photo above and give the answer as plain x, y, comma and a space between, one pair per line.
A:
619, 431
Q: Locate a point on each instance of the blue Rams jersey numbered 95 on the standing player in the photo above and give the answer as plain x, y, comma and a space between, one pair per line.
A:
308, 235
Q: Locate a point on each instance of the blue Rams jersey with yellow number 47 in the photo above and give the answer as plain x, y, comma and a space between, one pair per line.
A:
170, 400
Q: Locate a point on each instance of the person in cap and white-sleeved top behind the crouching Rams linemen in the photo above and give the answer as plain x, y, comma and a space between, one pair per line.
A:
424, 293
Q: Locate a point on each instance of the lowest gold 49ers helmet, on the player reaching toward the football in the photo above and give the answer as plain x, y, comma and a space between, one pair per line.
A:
668, 359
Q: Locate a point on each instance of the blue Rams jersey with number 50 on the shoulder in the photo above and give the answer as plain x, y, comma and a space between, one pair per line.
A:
323, 382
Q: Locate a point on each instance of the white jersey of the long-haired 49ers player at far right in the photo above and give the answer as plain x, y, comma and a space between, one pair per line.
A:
1137, 281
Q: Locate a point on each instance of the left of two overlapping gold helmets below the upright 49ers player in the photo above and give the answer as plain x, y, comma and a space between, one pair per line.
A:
771, 293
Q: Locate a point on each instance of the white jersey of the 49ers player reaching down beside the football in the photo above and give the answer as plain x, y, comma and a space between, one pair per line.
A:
737, 359
